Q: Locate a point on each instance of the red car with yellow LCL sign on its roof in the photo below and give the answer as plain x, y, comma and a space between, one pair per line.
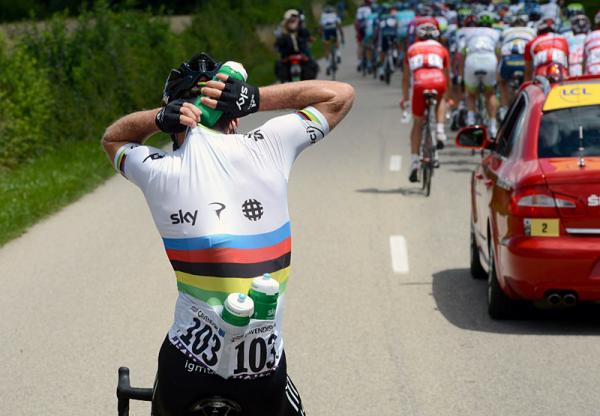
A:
535, 198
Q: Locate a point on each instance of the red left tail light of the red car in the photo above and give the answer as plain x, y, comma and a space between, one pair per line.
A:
539, 202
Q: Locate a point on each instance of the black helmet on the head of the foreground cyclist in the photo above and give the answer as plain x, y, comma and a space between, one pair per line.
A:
185, 82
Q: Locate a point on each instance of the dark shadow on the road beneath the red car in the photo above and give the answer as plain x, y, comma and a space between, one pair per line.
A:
462, 301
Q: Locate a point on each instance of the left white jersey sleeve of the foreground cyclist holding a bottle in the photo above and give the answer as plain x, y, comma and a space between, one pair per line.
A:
134, 162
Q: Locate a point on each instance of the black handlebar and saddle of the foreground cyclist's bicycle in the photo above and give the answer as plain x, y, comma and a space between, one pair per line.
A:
211, 406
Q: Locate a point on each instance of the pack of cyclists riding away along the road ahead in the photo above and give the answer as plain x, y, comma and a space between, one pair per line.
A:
490, 49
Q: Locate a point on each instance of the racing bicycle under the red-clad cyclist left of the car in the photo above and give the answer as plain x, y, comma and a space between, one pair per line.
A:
428, 146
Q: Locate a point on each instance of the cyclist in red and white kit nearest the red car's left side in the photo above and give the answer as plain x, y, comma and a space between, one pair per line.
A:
427, 62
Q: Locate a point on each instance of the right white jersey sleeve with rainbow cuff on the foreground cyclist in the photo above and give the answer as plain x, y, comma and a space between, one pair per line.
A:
287, 136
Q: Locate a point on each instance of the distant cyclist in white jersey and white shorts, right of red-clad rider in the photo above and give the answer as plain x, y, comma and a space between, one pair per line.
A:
479, 68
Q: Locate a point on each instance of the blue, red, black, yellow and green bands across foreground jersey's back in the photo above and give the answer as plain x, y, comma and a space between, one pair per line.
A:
210, 267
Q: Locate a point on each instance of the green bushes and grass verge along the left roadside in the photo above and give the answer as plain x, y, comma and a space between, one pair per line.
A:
63, 82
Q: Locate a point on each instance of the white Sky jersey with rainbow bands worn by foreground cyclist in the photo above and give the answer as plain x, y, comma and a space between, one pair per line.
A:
220, 205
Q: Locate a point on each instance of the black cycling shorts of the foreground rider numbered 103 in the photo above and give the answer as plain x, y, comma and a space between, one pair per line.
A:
181, 383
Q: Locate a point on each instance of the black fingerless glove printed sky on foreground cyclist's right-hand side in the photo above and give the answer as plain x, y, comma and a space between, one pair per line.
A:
238, 98
